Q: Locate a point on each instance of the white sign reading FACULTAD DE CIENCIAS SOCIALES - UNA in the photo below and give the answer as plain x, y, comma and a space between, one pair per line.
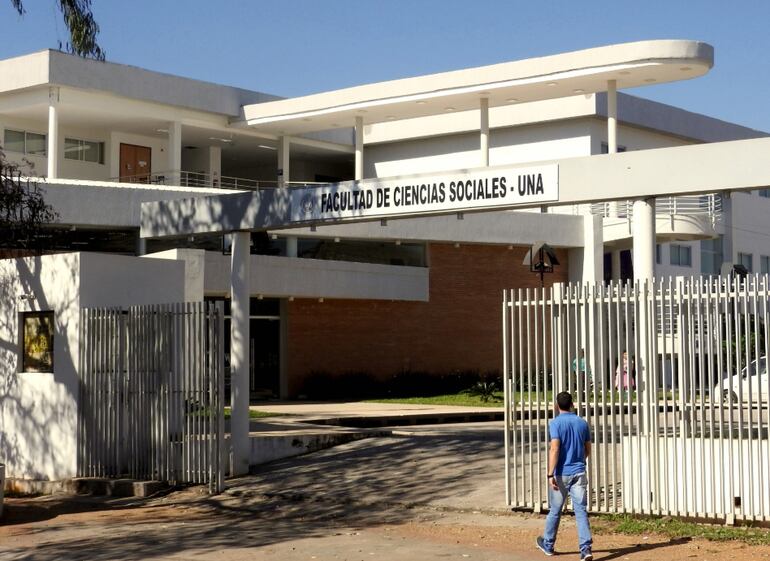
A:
453, 192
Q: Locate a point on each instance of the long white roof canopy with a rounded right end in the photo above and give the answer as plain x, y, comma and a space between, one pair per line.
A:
630, 64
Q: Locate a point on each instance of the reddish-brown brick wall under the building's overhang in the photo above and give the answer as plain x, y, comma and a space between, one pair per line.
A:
458, 329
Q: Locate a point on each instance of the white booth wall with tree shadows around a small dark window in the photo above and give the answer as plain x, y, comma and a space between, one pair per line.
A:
38, 436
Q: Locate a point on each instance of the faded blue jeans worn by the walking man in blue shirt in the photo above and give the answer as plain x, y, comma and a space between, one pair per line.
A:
577, 487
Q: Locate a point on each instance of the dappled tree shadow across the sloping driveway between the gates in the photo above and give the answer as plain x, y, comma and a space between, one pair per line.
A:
358, 485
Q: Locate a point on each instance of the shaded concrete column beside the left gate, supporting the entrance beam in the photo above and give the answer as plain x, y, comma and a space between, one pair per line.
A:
239, 352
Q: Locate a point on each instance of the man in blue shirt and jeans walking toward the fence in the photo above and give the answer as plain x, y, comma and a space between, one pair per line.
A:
570, 448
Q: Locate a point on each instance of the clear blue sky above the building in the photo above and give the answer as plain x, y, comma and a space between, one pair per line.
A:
295, 47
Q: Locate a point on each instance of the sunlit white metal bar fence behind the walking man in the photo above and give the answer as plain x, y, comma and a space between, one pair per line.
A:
680, 423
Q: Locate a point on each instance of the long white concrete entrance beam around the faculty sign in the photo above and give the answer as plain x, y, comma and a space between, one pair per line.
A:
738, 165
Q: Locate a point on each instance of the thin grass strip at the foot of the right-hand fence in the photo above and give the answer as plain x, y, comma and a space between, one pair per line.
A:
675, 528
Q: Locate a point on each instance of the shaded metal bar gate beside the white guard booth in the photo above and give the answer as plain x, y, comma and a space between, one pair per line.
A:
151, 393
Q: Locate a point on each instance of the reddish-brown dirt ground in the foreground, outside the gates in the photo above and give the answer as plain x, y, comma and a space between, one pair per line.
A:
169, 528
